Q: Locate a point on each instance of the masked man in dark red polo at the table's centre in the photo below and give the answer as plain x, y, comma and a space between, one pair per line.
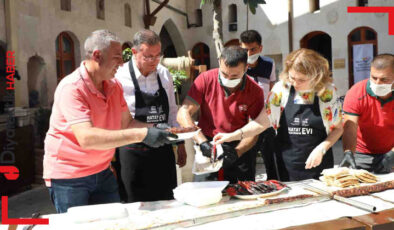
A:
227, 99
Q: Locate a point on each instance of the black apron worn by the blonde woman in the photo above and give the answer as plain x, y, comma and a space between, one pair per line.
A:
301, 130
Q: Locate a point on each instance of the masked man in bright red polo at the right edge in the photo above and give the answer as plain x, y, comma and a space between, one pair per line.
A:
368, 137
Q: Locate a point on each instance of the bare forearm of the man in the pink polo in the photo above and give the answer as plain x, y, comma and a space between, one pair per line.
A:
102, 139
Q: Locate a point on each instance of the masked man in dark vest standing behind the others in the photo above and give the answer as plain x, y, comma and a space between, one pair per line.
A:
262, 69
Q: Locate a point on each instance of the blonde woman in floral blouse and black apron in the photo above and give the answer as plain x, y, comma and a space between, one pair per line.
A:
304, 109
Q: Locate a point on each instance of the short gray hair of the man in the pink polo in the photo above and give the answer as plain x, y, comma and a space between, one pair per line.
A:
99, 40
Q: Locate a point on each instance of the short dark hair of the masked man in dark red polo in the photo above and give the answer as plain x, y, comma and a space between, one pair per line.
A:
233, 55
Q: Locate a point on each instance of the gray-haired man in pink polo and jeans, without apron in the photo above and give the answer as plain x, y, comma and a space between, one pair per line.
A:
89, 120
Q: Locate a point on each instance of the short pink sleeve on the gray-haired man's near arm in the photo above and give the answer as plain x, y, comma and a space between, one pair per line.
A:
73, 105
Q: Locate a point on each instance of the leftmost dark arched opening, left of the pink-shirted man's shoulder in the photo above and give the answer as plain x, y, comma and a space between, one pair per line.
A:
37, 82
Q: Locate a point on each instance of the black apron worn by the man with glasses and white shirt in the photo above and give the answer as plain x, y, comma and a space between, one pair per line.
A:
148, 174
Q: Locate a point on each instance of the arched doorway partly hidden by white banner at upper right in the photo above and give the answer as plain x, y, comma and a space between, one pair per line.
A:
360, 36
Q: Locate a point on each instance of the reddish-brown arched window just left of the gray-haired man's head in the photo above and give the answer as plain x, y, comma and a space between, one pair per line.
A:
65, 59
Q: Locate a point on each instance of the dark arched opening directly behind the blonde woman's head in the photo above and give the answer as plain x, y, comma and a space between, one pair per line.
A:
320, 42
